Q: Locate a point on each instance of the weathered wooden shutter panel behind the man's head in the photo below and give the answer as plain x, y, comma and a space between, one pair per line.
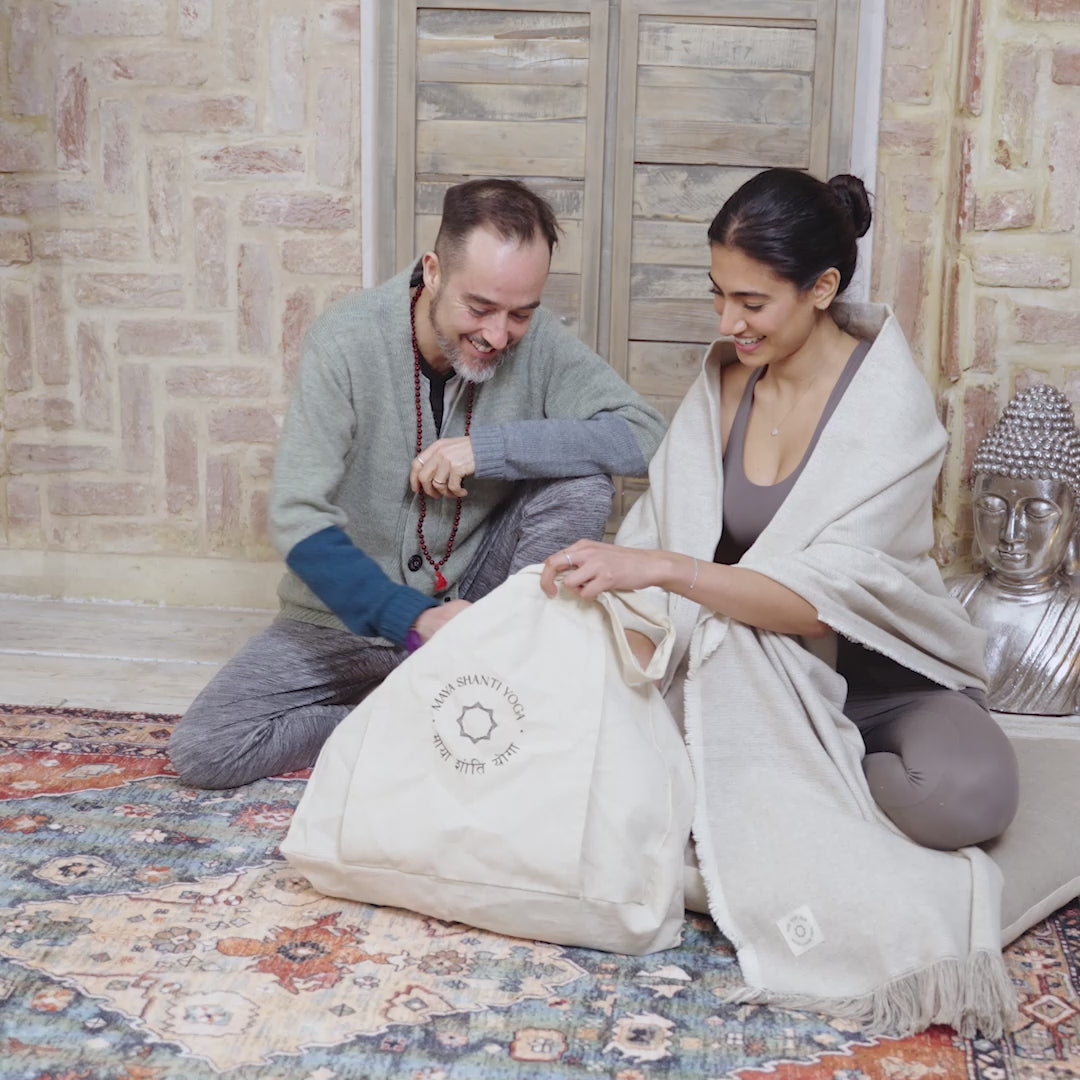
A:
490, 90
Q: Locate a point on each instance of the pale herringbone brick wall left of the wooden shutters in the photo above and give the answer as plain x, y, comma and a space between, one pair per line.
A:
179, 198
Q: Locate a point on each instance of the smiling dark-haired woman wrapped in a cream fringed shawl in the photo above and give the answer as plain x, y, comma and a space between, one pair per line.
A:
788, 529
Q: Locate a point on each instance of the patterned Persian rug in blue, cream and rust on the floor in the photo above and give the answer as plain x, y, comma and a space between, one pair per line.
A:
153, 933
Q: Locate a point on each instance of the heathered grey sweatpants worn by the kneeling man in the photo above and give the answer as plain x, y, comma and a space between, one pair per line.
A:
272, 708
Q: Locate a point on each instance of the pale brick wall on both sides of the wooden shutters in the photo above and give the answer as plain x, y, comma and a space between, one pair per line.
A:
180, 197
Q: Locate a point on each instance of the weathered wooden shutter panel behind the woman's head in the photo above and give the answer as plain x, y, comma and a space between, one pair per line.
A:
709, 93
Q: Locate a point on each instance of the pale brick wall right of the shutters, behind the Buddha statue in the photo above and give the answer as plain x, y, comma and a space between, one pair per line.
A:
978, 202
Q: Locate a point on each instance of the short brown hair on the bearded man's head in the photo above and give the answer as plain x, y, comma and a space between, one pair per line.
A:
507, 208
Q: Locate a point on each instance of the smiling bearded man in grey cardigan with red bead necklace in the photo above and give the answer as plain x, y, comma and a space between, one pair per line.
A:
444, 431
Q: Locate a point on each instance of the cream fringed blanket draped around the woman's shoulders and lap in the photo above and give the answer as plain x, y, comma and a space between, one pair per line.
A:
829, 906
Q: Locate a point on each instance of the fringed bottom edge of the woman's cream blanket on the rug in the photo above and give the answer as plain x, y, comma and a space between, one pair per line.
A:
974, 996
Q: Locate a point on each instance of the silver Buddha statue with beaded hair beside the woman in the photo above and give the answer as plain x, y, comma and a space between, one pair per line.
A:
1025, 499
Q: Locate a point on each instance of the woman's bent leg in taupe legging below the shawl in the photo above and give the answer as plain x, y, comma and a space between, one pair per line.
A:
938, 764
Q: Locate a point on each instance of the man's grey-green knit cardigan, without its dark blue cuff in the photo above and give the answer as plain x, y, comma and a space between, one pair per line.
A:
350, 436
